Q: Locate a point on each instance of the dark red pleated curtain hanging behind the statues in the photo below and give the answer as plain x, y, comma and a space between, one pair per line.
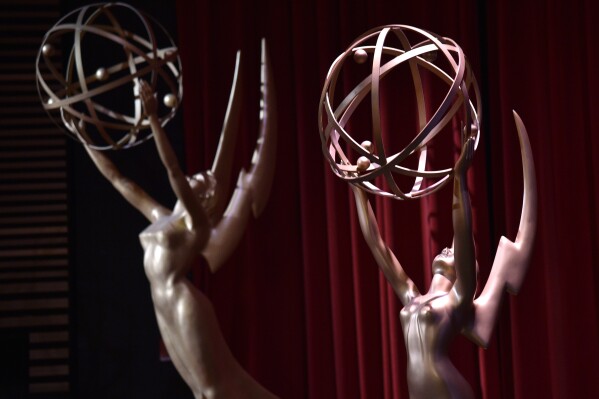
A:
302, 303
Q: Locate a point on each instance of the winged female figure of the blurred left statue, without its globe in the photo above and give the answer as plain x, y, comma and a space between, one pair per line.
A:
199, 225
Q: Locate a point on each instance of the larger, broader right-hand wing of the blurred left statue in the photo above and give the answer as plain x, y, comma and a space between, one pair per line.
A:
253, 187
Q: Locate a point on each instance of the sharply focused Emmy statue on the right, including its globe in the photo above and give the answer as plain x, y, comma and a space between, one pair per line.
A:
429, 320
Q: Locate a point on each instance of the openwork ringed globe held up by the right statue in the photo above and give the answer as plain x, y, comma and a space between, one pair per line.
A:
462, 102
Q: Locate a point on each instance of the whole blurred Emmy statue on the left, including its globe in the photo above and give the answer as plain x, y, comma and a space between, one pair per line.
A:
144, 82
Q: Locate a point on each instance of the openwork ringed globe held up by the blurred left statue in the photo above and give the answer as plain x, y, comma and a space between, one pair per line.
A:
105, 97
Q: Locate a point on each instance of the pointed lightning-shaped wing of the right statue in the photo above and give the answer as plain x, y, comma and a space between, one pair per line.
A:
512, 258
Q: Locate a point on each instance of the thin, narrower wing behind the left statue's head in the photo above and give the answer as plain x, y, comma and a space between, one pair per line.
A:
223, 161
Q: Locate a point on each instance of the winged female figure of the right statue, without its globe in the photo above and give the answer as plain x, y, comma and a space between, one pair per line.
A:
431, 320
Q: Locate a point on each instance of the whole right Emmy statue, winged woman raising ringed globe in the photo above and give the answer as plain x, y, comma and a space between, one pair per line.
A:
432, 320
